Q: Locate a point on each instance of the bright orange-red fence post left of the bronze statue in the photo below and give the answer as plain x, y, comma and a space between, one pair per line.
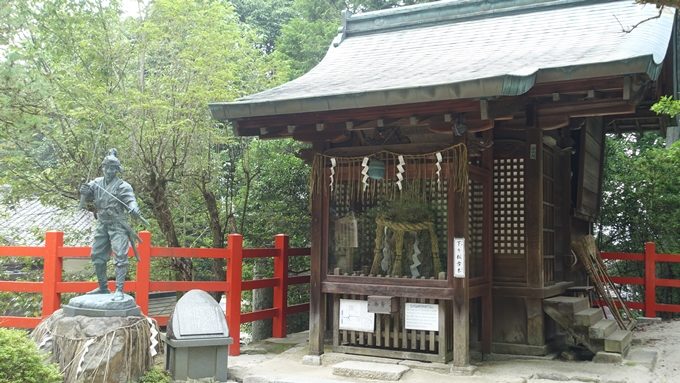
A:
52, 269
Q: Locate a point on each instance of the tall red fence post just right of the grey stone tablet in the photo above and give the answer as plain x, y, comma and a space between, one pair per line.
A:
234, 275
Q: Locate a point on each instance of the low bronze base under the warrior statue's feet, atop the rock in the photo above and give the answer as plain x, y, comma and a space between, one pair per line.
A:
101, 305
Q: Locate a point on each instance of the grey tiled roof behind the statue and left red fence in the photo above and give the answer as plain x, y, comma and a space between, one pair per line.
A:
25, 223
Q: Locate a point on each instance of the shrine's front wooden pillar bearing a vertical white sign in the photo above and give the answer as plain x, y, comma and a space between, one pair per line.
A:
458, 218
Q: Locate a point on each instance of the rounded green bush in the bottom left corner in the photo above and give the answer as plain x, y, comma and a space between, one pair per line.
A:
20, 360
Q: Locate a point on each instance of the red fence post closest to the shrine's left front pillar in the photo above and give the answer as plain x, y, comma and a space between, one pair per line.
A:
281, 290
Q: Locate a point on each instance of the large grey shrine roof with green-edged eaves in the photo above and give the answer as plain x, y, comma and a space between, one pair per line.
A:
468, 49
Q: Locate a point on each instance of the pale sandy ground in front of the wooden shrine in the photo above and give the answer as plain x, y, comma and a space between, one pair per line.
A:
662, 337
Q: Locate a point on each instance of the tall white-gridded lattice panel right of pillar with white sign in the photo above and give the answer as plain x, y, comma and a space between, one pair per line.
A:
508, 201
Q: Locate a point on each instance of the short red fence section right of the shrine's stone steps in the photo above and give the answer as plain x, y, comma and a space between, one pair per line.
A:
649, 281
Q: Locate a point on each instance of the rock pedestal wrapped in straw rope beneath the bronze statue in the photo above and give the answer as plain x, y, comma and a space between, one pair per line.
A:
100, 349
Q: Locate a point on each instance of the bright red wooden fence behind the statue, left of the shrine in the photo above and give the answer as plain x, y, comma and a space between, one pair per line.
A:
52, 286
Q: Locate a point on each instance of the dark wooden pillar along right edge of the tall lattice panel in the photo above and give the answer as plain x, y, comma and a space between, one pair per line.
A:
533, 194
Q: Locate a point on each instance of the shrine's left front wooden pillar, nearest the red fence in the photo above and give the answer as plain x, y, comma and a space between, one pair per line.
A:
317, 302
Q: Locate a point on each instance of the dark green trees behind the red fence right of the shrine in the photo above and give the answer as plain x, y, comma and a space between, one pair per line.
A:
641, 203
